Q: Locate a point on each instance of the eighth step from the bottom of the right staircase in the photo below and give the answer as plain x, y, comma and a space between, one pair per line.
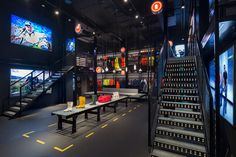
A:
178, 91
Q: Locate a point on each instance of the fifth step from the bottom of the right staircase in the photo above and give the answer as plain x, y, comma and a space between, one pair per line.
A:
181, 113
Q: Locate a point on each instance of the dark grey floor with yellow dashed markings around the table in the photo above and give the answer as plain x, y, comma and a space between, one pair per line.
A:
121, 134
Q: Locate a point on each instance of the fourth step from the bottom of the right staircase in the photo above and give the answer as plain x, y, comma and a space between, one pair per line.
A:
193, 125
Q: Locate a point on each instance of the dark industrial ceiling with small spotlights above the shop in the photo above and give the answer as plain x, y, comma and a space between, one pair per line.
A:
114, 21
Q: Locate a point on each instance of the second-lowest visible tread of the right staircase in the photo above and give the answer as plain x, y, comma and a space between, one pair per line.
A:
178, 143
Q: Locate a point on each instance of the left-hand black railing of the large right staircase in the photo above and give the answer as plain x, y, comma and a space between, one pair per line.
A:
154, 100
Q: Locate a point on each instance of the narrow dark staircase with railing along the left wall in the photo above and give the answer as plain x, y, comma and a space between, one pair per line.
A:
36, 87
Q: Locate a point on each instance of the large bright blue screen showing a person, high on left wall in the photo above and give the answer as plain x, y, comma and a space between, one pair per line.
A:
27, 33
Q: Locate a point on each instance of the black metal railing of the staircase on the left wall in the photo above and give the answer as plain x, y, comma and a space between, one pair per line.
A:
35, 80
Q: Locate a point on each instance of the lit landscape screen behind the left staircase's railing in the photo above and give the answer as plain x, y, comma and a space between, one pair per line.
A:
18, 77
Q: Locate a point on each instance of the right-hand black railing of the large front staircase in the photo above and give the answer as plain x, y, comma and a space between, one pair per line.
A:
204, 92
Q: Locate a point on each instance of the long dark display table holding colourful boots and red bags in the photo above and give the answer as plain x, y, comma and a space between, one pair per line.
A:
63, 117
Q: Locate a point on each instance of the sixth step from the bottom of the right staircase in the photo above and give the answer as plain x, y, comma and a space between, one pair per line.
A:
174, 105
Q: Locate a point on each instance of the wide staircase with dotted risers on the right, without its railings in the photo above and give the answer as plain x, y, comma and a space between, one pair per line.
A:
180, 127
